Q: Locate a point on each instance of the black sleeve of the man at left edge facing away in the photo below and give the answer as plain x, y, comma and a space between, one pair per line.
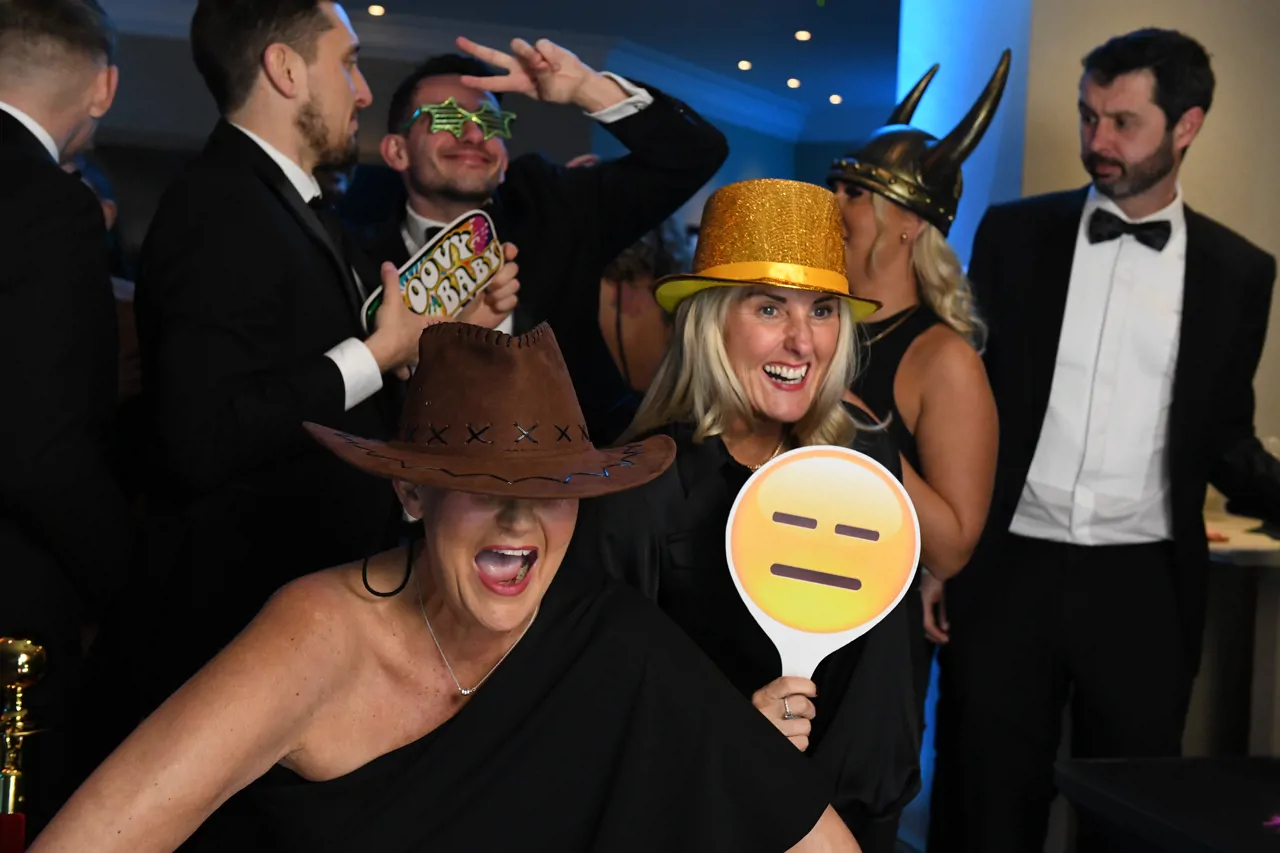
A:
61, 350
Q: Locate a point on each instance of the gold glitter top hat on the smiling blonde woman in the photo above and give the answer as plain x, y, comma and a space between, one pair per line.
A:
769, 232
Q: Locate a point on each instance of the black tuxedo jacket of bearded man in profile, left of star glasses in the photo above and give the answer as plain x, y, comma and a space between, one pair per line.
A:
240, 295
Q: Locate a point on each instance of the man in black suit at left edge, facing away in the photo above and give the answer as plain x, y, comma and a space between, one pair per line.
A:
66, 528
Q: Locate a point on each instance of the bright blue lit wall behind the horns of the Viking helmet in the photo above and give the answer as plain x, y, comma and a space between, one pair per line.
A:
966, 38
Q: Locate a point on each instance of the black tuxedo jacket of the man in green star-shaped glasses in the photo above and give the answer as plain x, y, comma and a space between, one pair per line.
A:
570, 223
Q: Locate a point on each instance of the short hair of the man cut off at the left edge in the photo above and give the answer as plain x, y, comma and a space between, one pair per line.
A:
79, 26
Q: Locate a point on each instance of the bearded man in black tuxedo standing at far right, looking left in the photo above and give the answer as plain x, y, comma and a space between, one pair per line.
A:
1126, 330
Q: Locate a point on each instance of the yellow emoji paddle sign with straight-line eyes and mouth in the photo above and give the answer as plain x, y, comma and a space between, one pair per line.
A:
822, 544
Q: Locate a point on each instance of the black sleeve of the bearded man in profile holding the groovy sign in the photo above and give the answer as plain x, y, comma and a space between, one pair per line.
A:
213, 325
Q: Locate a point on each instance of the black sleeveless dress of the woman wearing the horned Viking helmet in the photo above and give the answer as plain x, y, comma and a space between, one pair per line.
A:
875, 387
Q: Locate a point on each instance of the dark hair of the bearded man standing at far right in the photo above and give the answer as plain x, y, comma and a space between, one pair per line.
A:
1180, 65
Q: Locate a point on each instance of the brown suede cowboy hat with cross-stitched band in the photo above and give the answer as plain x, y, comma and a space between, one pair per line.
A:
493, 414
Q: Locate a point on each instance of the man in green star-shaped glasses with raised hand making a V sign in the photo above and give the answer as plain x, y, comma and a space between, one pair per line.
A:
569, 223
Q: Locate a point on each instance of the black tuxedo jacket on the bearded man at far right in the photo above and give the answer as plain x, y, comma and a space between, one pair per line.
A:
1021, 270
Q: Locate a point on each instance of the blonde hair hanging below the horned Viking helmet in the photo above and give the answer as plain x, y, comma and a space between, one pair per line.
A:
939, 277
